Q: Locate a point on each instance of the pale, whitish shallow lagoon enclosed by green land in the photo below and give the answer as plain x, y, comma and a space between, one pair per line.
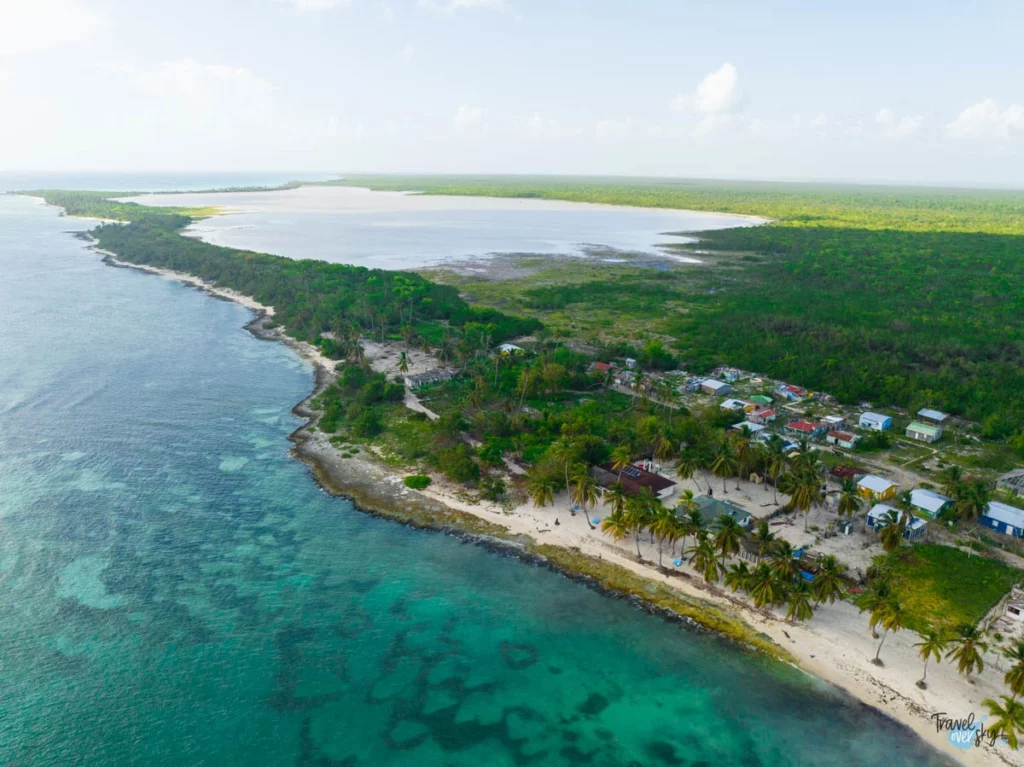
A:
398, 231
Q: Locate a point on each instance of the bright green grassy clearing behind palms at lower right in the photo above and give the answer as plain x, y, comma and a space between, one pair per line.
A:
945, 587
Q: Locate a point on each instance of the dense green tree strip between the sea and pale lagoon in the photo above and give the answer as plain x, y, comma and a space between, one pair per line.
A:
324, 304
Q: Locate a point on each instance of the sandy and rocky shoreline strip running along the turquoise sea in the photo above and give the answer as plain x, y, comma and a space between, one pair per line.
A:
839, 660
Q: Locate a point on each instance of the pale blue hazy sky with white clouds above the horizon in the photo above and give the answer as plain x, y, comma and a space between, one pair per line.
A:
907, 92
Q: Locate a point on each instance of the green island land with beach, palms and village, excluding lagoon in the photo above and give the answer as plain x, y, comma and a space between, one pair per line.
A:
794, 444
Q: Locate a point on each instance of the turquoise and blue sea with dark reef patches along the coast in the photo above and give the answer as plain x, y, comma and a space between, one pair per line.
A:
175, 590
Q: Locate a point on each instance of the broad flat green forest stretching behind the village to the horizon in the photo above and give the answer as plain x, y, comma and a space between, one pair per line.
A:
903, 297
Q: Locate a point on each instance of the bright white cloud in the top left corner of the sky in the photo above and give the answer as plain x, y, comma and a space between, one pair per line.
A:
34, 26
